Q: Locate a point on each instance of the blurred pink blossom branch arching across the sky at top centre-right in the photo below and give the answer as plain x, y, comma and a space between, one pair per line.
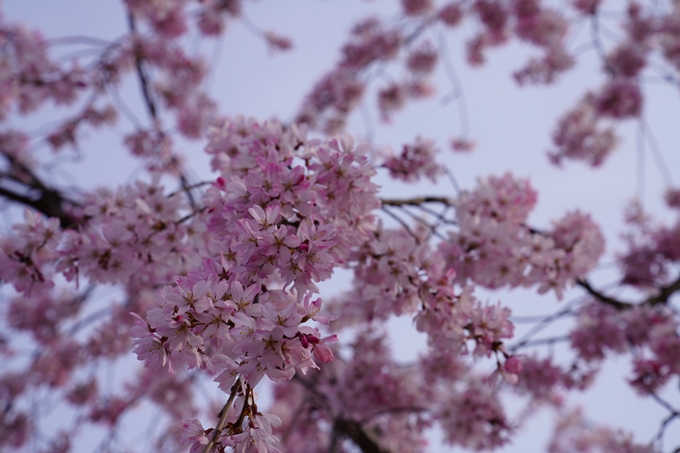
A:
374, 44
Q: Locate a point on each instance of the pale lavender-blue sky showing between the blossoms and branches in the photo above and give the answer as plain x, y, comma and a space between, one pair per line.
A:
510, 125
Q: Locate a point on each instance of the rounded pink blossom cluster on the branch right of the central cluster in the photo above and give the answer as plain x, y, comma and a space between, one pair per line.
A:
494, 247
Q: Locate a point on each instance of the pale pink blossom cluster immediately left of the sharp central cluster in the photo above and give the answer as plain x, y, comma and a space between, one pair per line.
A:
134, 236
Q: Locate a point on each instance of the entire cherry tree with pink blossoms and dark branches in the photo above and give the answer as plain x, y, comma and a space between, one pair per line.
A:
223, 277
